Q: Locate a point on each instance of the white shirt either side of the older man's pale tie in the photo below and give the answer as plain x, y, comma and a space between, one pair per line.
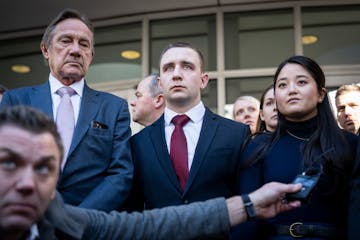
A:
75, 99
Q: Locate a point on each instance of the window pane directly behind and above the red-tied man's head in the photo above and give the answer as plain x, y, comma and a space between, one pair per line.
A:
199, 31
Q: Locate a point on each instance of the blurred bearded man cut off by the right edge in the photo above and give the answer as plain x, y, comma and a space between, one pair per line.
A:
347, 100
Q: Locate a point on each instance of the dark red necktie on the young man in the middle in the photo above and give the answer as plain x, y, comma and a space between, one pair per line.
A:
178, 149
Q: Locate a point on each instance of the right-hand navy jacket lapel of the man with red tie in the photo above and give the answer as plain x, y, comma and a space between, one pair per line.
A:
207, 133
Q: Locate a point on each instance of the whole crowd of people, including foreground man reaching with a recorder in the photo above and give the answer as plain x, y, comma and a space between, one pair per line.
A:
70, 166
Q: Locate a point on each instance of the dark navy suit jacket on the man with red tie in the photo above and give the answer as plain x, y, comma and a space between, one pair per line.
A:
213, 172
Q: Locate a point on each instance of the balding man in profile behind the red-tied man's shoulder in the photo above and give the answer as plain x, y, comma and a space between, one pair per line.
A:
149, 102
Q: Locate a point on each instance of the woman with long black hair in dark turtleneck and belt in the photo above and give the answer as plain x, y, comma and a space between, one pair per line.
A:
307, 141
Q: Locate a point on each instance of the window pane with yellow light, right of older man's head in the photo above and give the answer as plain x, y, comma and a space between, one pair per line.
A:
109, 64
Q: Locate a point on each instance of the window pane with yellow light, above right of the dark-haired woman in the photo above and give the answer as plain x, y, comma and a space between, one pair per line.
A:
332, 34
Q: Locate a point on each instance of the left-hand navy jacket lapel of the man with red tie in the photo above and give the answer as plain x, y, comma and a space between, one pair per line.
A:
157, 133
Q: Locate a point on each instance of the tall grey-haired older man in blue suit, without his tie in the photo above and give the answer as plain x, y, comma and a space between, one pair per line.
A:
98, 168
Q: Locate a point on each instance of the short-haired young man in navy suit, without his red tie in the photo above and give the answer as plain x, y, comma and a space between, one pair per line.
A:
213, 142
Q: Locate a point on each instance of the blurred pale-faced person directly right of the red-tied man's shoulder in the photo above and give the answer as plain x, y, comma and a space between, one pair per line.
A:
246, 110
